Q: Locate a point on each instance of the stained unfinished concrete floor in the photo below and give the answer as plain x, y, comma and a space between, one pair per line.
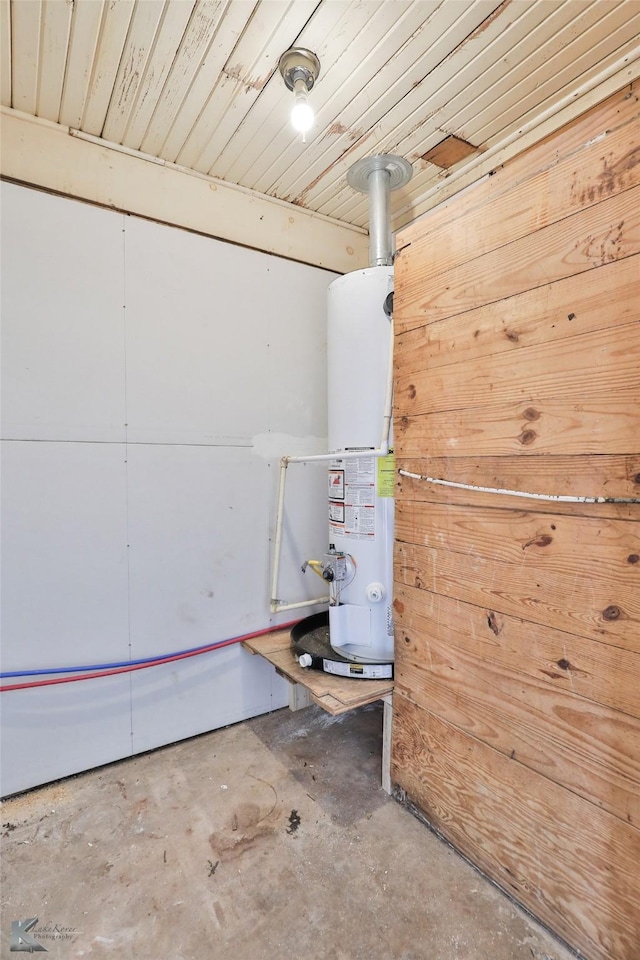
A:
266, 840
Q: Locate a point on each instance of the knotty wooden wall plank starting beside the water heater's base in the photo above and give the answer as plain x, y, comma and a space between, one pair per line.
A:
578, 665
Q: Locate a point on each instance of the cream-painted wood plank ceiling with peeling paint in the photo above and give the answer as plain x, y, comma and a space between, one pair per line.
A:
196, 82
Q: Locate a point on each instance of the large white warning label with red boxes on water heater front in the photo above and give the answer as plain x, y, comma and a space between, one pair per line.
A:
353, 482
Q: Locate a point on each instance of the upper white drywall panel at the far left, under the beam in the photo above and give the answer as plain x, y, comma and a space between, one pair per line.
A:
62, 310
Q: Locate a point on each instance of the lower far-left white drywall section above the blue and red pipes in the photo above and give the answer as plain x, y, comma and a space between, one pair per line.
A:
64, 557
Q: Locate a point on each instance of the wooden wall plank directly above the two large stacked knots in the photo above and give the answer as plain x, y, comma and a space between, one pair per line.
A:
598, 365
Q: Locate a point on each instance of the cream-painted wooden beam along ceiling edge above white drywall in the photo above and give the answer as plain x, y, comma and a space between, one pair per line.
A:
44, 155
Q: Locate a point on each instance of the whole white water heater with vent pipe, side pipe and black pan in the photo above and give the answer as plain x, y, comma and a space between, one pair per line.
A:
356, 637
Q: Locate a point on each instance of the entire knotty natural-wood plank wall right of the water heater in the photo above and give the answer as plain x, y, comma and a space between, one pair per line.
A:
517, 696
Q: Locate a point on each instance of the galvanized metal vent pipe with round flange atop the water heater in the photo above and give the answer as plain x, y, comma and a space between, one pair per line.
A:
378, 176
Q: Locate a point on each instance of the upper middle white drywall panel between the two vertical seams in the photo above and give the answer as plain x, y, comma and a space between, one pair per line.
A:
196, 344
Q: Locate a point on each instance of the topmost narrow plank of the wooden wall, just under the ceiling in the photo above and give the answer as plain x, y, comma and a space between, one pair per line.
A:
617, 111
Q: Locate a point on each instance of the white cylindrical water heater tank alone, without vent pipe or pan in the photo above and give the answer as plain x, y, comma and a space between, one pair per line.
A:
360, 489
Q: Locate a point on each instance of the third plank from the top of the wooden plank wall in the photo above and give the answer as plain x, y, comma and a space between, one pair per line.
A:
590, 238
